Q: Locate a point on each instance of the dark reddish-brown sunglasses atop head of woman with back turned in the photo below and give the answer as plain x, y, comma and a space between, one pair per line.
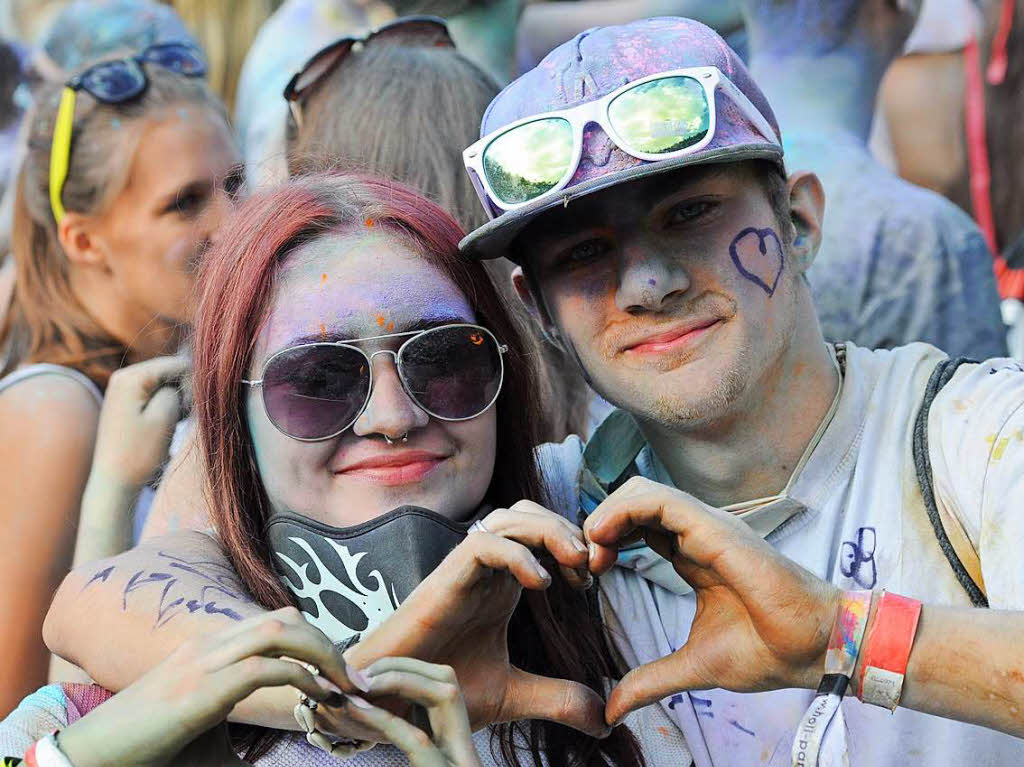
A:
422, 31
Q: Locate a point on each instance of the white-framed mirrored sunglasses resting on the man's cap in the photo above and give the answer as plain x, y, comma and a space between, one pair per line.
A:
661, 117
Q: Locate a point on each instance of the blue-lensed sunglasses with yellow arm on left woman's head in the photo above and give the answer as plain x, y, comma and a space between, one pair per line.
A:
115, 81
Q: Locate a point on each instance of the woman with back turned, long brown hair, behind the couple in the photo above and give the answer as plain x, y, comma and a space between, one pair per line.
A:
344, 114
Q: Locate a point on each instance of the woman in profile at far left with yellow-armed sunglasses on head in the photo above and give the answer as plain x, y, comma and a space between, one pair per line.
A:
107, 235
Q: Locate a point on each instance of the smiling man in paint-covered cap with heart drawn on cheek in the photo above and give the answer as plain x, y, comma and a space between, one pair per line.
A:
677, 283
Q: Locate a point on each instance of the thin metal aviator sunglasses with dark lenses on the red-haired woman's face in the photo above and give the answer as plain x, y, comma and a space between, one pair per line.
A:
316, 392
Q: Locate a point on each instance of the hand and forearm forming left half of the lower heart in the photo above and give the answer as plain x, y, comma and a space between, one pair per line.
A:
151, 722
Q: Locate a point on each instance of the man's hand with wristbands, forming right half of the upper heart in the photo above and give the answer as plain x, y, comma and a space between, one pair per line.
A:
762, 622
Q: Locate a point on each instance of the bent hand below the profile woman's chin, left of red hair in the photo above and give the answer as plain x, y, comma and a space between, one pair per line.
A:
142, 406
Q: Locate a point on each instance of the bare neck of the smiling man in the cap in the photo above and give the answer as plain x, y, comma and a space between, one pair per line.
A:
754, 454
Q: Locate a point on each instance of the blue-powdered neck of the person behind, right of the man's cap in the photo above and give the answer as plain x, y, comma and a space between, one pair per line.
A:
828, 94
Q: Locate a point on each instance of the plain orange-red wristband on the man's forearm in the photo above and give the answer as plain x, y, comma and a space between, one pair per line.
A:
887, 651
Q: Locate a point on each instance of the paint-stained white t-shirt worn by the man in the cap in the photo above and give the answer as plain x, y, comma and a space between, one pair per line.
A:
865, 528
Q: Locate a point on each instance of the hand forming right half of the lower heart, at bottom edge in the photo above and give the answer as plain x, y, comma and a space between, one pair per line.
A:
436, 689
